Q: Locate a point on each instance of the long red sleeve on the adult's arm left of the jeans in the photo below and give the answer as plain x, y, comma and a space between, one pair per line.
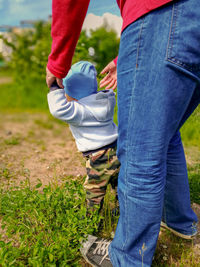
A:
67, 21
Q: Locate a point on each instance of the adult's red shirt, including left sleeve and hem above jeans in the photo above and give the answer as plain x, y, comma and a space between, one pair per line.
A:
67, 20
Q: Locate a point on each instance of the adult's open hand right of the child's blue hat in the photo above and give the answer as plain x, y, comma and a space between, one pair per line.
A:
111, 77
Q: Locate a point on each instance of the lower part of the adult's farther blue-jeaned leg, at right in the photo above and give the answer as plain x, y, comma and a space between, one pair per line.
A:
177, 211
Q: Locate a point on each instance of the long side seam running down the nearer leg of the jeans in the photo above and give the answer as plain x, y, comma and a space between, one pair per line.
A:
128, 133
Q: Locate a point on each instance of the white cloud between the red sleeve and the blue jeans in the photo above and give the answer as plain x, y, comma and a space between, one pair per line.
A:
93, 22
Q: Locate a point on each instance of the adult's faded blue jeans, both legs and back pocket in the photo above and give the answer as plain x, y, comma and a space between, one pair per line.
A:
158, 89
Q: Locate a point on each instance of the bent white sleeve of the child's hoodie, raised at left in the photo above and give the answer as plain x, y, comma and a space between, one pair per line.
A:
70, 112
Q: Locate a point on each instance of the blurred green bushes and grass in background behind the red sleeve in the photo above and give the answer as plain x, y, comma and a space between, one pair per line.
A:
29, 57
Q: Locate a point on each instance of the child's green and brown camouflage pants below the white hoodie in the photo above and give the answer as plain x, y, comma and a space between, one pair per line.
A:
102, 168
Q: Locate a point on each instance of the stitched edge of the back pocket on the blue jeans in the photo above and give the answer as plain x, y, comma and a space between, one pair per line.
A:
170, 46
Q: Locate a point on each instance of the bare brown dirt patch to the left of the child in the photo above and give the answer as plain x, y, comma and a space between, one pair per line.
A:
35, 146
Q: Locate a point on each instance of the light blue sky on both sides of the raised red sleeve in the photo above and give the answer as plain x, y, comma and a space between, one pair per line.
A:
13, 11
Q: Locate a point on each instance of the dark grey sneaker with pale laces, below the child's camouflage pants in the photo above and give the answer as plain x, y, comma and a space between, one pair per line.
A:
95, 251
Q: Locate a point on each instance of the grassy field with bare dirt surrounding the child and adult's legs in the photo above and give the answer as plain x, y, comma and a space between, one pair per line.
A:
42, 212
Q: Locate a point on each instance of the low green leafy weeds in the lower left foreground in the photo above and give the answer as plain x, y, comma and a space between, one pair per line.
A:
44, 228
